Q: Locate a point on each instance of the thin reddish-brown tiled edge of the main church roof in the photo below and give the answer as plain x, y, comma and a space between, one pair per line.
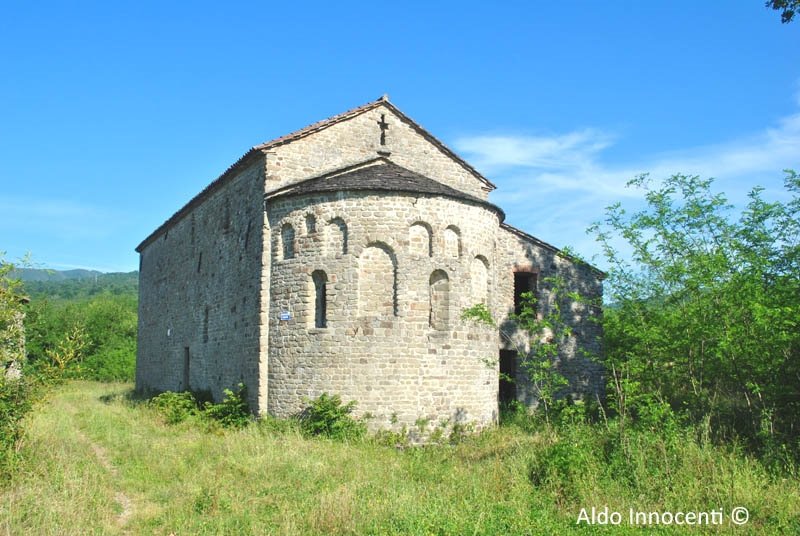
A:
296, 135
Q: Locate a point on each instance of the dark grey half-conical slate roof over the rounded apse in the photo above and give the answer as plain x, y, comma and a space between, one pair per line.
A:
378, 174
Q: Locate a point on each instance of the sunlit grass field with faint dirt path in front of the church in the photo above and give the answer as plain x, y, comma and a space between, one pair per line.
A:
96, 463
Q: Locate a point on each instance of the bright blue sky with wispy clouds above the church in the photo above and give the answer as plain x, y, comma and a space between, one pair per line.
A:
114, 114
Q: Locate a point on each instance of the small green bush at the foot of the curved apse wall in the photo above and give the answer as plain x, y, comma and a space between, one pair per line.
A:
327, 416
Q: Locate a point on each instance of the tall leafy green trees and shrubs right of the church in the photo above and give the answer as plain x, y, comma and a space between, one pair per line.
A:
705, 319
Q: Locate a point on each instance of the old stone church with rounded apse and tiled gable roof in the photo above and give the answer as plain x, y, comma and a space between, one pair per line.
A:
338, 259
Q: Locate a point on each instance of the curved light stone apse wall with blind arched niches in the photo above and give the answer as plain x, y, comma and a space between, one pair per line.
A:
393, 340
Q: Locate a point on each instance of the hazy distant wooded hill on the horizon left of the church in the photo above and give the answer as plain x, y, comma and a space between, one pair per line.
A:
76, 284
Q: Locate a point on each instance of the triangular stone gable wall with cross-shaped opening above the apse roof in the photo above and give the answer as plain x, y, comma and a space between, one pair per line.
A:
358, 139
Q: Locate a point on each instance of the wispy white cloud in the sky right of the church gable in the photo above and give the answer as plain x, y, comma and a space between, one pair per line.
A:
556, 186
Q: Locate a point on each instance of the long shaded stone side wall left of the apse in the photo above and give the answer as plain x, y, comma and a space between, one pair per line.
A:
200, 295
